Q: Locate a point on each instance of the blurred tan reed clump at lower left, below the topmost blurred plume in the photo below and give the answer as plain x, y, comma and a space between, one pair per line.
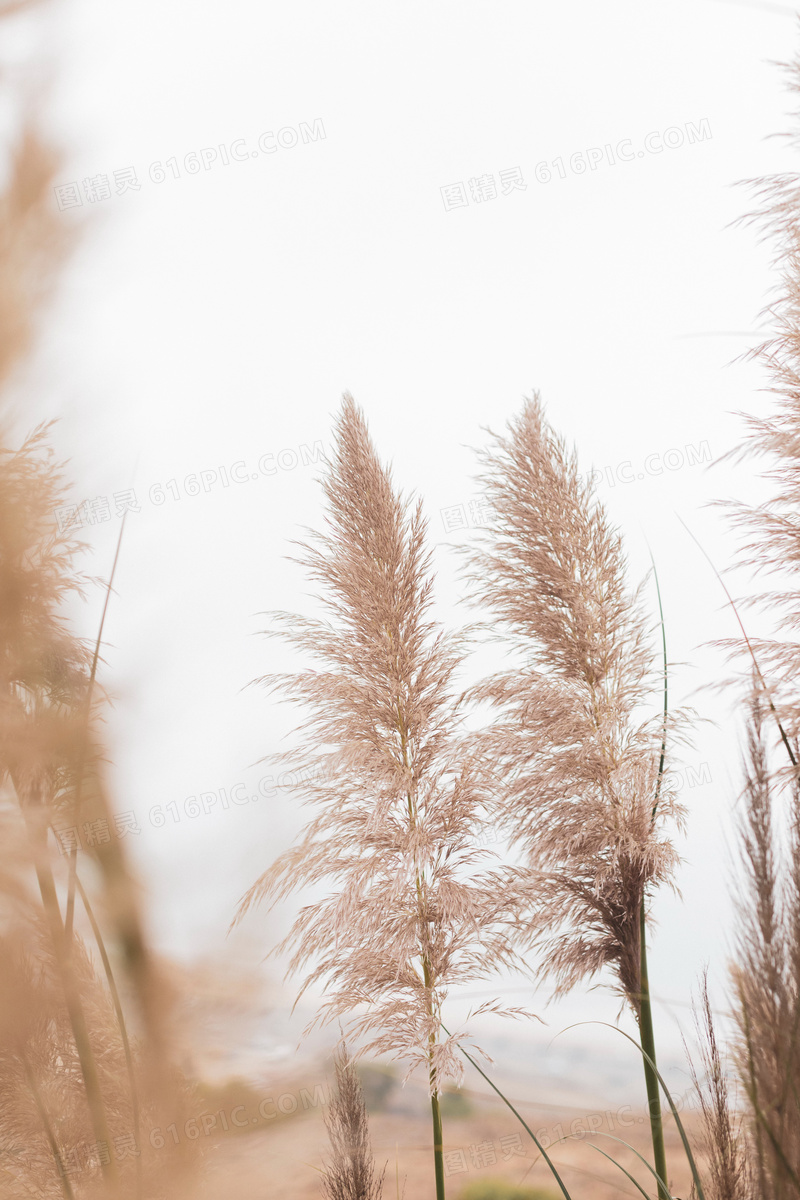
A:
70, 1069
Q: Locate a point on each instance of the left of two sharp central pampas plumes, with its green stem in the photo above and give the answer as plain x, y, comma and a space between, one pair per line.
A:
414, 905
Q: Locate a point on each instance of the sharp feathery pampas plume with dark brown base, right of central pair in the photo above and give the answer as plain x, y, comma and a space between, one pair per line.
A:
580, 761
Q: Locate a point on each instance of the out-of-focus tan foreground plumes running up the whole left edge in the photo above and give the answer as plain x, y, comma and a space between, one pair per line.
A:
81, 1081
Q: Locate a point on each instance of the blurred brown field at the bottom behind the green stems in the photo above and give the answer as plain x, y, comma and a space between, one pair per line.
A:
270, 1135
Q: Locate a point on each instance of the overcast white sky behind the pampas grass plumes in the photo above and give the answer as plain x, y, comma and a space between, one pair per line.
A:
216, 319
